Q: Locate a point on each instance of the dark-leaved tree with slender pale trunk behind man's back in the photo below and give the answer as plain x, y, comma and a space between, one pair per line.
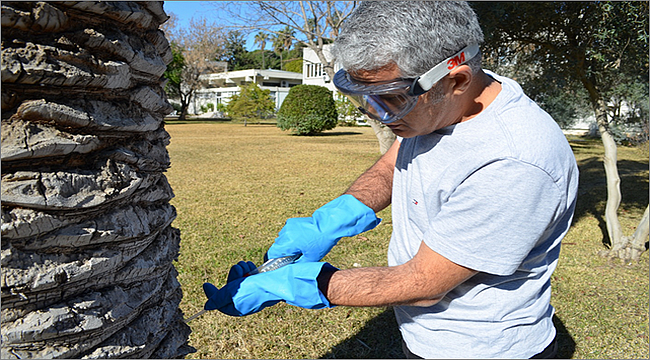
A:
601, 47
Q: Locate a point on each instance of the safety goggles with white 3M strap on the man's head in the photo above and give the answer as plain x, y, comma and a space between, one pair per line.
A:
388, 101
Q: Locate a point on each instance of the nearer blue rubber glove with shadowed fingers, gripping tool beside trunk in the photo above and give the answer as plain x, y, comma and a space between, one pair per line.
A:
244, 295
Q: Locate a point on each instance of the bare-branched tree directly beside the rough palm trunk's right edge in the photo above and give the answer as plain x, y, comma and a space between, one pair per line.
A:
197, 50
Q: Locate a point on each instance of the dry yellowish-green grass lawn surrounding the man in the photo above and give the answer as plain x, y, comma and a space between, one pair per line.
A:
235, 186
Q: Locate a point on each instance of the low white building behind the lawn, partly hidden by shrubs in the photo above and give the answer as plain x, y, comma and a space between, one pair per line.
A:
221, 86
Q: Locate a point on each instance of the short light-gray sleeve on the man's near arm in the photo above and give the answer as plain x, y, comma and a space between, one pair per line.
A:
493, 219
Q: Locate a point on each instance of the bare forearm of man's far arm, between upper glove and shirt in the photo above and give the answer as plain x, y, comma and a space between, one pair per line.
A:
375, 187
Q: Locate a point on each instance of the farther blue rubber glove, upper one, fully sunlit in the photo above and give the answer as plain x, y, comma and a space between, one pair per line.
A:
315, 236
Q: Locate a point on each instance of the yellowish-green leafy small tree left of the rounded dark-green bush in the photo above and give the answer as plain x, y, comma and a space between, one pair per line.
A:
251, 102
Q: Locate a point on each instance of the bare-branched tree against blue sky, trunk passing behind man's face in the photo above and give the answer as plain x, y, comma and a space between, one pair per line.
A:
315, 23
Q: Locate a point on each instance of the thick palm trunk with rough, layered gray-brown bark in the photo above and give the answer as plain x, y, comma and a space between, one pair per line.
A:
87, 242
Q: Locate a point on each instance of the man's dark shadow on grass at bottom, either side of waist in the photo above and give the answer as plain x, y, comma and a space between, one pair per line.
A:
381, 339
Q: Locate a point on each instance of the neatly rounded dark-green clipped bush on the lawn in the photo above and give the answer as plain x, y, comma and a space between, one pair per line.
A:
307, 110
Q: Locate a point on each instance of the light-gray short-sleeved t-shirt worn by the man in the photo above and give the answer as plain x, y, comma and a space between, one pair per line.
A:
495, 194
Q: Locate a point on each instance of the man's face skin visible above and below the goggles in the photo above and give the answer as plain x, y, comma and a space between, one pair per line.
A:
428, 115
